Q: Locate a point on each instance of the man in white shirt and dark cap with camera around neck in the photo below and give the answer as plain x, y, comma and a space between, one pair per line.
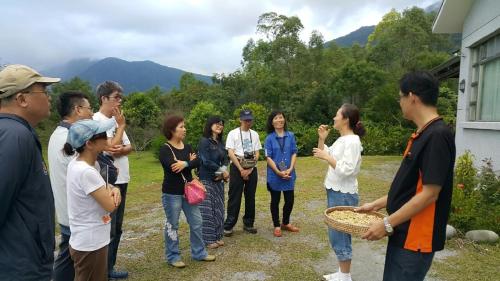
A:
243, 145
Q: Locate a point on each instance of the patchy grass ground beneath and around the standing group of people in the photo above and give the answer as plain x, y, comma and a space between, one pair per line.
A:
300, 256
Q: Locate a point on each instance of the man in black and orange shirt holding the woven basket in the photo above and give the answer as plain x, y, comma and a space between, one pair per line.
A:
419, 199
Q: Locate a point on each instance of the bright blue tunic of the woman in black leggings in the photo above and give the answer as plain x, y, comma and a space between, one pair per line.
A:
273, 151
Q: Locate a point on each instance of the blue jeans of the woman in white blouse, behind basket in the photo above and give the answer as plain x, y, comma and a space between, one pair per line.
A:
341, 242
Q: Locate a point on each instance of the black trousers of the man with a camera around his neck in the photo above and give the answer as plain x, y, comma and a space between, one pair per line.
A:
237, 187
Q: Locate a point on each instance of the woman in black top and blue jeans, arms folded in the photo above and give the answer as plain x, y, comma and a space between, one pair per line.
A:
178, 159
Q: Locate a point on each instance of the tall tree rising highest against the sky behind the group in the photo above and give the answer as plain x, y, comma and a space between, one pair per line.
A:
273, 67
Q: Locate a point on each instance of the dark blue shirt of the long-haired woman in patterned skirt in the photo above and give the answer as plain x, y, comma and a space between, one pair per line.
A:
213, 155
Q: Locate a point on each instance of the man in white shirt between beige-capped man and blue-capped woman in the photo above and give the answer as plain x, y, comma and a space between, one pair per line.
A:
72, 106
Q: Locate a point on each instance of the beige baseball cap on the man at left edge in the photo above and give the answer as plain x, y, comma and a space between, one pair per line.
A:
16, 77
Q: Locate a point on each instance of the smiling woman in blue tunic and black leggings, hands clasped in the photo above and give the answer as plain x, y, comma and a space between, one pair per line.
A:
281, 154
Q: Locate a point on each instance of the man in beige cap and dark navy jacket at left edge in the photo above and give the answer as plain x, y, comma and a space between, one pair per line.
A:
26, 200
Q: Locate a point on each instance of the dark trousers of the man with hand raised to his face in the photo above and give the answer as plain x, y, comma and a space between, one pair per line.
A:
116, 227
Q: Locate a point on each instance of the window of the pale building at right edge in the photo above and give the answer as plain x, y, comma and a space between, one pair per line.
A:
484, 99
